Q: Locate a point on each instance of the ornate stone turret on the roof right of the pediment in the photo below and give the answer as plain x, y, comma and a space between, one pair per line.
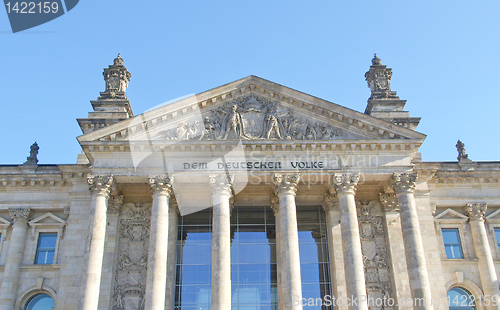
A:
383, 102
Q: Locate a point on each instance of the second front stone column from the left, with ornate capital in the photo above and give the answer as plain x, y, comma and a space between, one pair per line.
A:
156, 280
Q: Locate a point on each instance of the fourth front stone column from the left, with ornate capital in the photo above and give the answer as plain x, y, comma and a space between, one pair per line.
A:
285, 187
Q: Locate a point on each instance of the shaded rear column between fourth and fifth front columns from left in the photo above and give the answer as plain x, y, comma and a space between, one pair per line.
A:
335, 251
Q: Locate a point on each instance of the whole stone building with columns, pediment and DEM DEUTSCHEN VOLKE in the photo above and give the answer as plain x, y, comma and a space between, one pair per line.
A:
250, 196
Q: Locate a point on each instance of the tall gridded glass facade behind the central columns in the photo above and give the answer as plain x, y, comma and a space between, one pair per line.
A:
253, 258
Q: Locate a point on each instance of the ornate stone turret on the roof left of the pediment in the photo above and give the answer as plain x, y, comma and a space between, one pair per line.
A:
112, 106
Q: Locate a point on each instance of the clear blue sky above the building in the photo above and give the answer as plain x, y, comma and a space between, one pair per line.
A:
445, 58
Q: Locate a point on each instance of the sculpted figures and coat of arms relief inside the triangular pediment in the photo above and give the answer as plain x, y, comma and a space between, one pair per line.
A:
251, 118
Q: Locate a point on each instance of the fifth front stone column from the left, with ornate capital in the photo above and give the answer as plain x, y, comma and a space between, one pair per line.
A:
345, 185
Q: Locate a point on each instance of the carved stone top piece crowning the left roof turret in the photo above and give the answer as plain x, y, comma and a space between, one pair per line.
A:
117, 78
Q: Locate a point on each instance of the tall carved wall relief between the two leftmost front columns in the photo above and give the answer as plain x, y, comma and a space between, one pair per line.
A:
131, 263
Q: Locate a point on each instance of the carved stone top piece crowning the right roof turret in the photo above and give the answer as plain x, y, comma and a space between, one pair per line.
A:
379, 80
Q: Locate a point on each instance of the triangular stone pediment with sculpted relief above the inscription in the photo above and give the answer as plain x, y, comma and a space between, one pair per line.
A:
251, 109
